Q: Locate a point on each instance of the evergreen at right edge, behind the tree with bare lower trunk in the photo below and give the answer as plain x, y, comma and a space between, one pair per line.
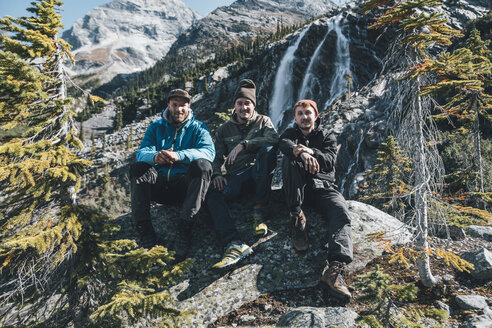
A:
464, 74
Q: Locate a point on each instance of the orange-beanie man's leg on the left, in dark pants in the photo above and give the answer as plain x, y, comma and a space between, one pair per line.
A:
294, 178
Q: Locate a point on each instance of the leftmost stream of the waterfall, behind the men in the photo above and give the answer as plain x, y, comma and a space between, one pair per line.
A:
283, 88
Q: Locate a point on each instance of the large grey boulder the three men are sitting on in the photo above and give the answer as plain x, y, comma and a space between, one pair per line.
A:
274, 265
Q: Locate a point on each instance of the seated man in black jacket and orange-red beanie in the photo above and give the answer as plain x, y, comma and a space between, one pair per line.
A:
308, 172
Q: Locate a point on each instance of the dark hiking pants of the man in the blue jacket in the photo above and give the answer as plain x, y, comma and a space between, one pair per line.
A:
189, 189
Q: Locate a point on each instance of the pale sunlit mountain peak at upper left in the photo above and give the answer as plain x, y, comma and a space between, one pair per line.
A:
126, 36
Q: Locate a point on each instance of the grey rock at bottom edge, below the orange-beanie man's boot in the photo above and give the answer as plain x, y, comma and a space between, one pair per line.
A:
318, 317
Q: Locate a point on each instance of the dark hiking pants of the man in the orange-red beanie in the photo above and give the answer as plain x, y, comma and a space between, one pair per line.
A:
299, 186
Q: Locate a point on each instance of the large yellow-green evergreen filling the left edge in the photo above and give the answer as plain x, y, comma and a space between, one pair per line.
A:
52, 249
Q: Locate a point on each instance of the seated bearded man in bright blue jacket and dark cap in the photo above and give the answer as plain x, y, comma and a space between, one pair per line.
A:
173, 165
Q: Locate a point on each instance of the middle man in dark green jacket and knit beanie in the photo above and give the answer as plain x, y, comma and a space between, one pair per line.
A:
246, 148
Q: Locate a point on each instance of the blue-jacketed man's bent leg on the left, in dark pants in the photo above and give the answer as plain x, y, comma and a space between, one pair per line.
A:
143, 179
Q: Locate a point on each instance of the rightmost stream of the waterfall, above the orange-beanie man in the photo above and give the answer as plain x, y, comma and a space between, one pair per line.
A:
342, 65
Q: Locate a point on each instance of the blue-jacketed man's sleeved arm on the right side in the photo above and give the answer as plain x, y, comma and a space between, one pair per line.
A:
202, 149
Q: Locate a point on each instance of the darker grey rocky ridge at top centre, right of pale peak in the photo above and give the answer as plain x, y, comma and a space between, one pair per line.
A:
245, 19
